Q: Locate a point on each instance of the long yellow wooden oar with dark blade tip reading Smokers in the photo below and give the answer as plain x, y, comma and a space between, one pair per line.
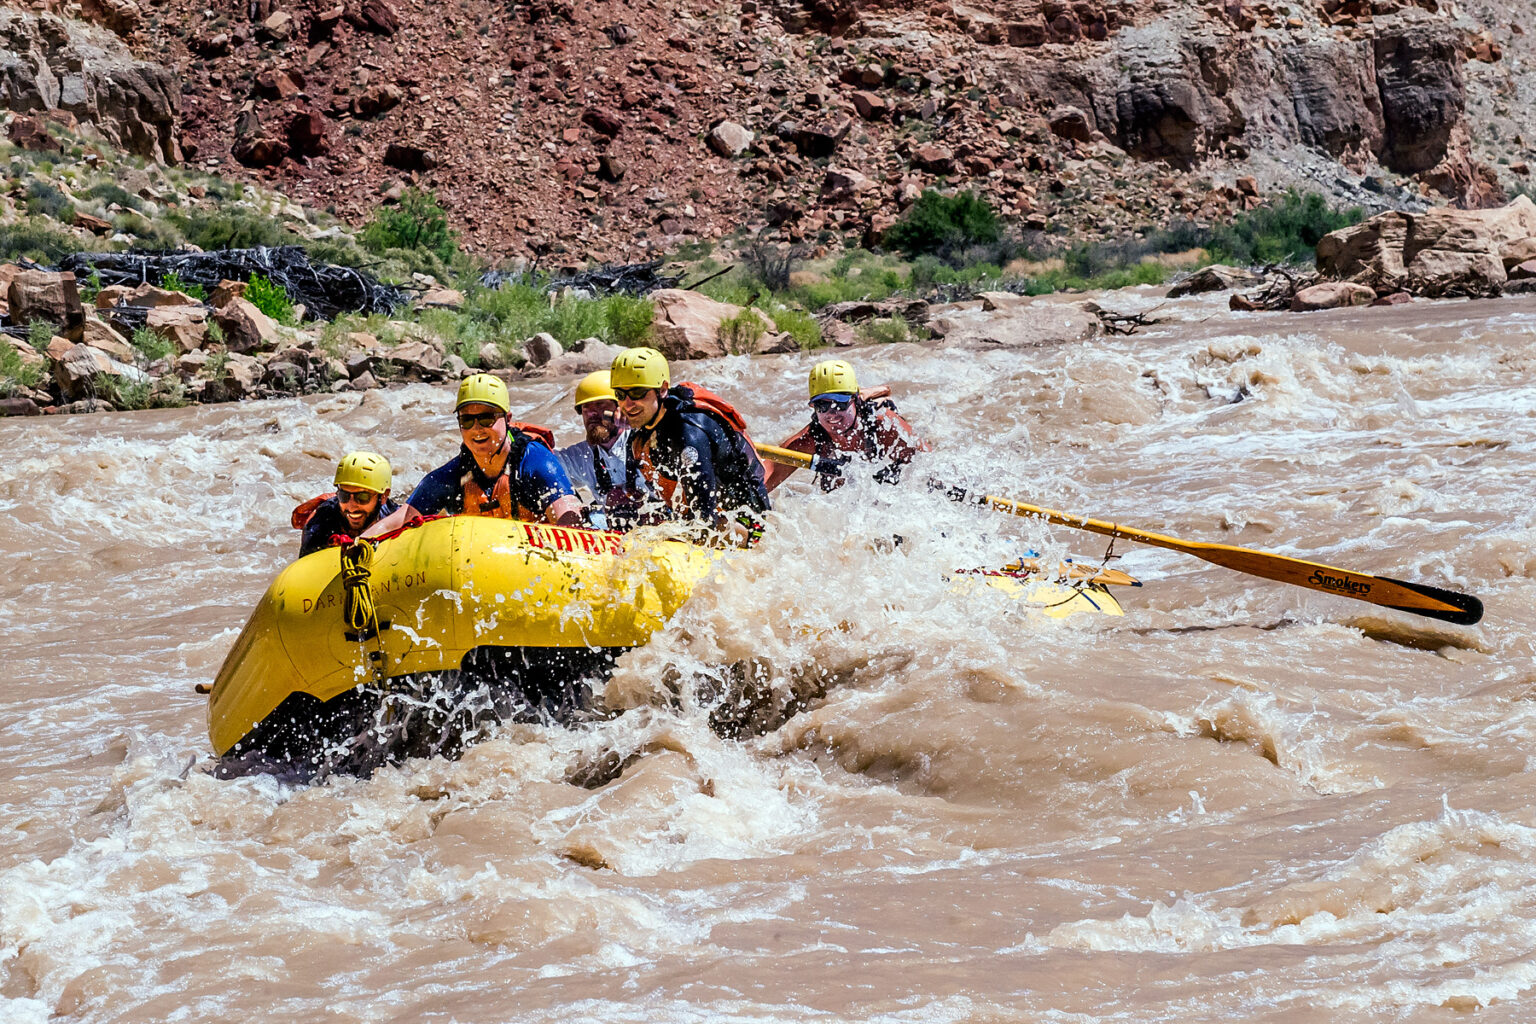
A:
1418, 600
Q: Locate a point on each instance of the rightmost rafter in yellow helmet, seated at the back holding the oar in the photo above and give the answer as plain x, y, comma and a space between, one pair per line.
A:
850, 424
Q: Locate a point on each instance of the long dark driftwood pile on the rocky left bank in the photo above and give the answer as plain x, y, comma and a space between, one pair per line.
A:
326, 291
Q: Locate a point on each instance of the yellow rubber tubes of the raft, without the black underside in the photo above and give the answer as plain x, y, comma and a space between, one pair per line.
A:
564, 600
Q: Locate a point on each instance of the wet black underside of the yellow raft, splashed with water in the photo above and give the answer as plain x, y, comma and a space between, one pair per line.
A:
435, 715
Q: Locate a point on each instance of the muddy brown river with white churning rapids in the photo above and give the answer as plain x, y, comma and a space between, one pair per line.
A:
1239, 802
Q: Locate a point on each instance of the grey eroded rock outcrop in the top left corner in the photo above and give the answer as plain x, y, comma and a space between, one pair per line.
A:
53, 65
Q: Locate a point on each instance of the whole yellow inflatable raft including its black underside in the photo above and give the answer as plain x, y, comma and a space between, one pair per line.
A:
537, 612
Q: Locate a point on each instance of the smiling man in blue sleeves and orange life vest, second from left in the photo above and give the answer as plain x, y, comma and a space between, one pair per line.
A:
503, 471
